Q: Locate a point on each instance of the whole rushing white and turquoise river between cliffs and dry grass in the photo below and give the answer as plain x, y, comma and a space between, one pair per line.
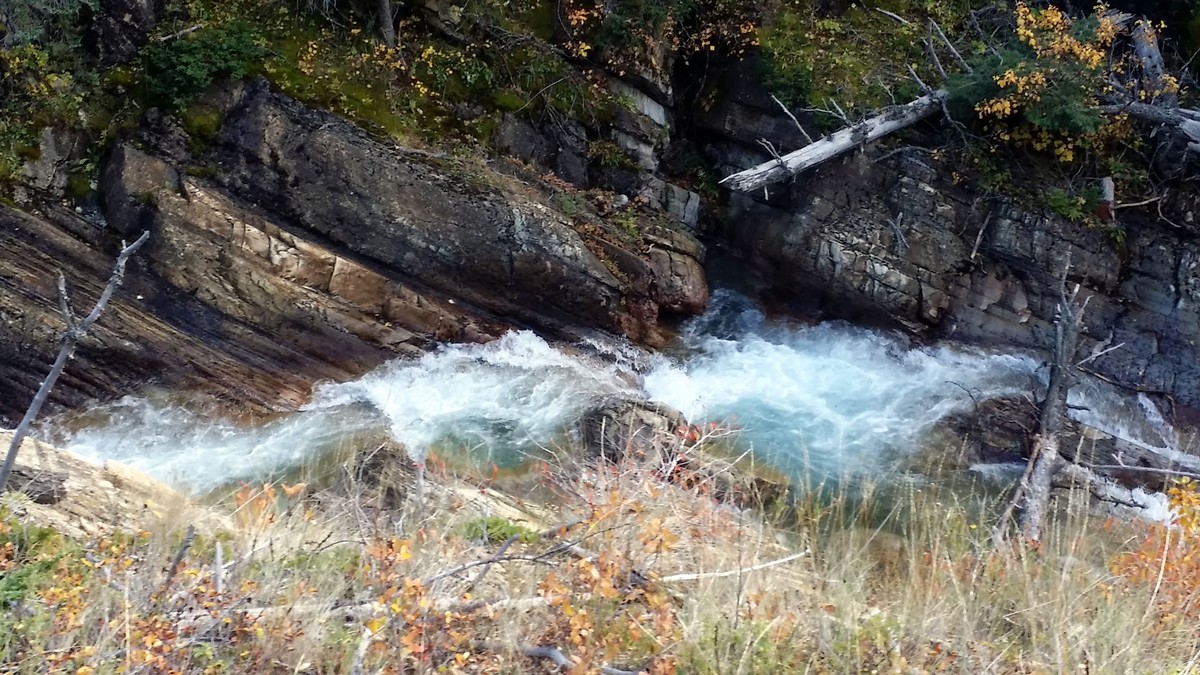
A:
825, 401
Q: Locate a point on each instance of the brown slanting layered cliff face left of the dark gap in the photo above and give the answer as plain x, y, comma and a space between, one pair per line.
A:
308, 252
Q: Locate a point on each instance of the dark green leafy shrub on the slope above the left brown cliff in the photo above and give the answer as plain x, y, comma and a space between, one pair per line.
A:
181, 70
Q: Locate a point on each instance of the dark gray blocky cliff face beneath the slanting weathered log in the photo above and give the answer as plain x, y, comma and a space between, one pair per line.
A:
893, 237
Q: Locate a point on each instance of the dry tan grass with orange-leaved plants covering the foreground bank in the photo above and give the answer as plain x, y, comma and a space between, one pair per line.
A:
615, 570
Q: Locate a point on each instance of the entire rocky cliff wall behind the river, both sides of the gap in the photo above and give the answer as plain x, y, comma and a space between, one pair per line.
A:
293, 247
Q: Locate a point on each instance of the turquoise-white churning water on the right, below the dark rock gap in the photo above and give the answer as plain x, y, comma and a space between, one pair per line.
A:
830, 399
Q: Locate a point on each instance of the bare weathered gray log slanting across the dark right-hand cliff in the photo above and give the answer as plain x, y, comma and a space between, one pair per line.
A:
872, 129
